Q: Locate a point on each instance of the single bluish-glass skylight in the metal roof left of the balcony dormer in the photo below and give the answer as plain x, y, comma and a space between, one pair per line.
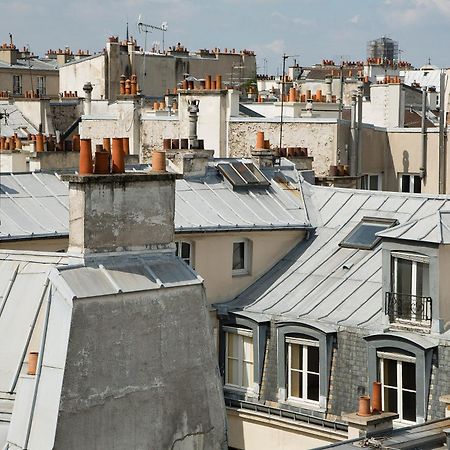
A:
363, 235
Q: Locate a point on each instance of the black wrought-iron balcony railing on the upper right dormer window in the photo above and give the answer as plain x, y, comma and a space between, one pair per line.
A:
408, 310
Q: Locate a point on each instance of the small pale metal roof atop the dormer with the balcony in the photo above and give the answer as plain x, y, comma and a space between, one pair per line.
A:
434, 228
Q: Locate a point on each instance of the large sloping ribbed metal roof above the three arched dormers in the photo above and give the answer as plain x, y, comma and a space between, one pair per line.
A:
321, 281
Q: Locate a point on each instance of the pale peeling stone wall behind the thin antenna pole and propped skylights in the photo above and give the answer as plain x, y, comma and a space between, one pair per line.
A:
320, 137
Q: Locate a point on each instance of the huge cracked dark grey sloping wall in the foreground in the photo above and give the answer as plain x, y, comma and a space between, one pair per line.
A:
141, 373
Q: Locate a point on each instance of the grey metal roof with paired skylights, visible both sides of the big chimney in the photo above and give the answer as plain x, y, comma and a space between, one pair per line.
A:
35, 205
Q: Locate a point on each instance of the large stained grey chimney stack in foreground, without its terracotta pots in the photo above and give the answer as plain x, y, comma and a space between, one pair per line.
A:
121, 212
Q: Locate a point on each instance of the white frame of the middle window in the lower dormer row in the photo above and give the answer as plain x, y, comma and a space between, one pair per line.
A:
305, 343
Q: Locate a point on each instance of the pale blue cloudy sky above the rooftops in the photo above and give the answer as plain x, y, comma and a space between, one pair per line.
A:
313, 29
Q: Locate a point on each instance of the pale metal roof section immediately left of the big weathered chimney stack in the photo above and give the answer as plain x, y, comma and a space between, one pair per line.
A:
33, 205
